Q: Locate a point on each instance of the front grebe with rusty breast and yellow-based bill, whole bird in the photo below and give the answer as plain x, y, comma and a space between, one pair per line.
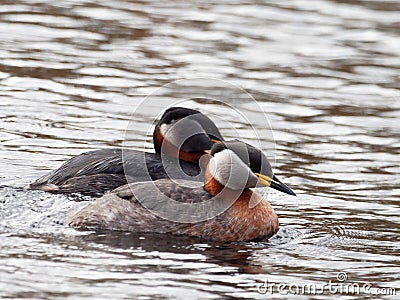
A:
233, 168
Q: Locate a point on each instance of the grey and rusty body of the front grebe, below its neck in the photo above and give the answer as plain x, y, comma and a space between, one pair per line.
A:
121, 210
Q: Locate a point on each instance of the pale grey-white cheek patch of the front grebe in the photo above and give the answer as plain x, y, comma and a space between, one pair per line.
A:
229, 170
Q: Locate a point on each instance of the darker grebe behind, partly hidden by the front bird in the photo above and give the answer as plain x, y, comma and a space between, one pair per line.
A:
181, 133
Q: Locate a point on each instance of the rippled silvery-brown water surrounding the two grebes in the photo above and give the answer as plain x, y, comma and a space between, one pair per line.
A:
326, 73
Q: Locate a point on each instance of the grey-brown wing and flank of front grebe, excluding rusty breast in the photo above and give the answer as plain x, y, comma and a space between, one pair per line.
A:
122, 210
